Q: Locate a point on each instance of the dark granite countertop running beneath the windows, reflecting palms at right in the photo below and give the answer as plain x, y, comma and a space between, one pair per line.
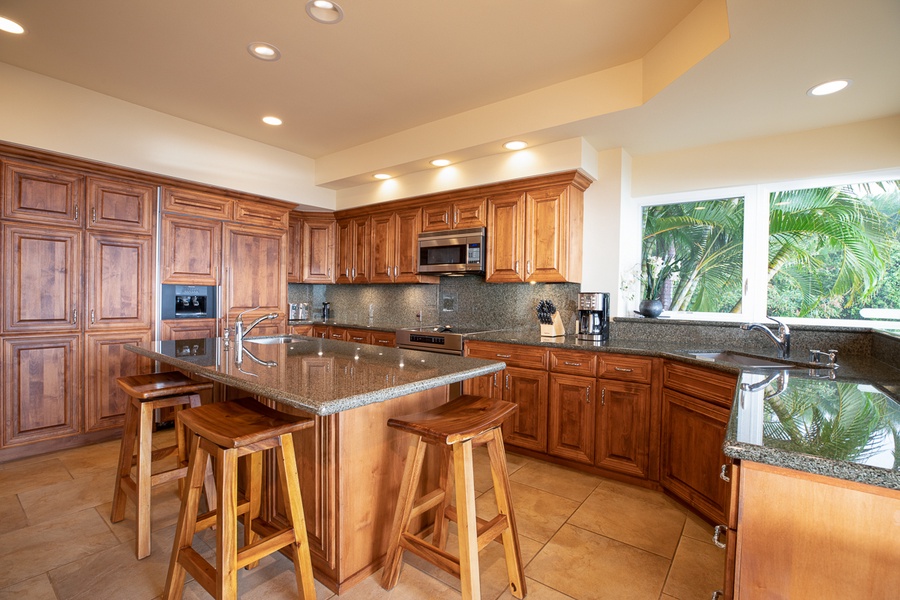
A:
847, 427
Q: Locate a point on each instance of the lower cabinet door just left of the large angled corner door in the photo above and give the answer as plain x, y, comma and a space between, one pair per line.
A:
623, 430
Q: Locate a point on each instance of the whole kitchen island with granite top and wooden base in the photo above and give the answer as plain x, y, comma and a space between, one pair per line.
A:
350, 463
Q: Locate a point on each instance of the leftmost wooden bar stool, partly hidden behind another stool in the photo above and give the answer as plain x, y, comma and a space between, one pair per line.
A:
147, 393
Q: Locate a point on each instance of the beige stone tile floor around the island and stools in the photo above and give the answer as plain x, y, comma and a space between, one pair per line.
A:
582, 537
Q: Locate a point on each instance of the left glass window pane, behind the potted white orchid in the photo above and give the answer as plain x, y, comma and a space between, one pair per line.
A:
692, 255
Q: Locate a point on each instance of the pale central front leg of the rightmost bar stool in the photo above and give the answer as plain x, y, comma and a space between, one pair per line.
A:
464, 480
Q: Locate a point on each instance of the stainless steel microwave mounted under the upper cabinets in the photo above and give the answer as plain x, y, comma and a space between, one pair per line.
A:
452, 252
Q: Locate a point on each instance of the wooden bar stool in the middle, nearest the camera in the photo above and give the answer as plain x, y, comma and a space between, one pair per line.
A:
228, 431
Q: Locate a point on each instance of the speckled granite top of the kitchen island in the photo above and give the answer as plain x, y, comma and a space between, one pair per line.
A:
317, 375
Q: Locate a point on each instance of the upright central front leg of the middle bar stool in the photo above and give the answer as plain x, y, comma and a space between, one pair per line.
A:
226, 522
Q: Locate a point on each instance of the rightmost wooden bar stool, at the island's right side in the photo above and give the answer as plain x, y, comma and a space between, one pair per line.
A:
455, 428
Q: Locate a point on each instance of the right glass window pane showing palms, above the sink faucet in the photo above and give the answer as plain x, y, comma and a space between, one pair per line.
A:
834, 252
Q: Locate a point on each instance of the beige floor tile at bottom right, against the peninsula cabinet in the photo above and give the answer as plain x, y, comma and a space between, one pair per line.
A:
698, 570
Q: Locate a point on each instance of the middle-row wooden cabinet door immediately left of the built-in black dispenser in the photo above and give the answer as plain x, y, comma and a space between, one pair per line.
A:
119, 280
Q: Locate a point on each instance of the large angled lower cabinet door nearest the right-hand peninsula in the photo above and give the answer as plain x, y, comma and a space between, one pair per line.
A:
691, 457
